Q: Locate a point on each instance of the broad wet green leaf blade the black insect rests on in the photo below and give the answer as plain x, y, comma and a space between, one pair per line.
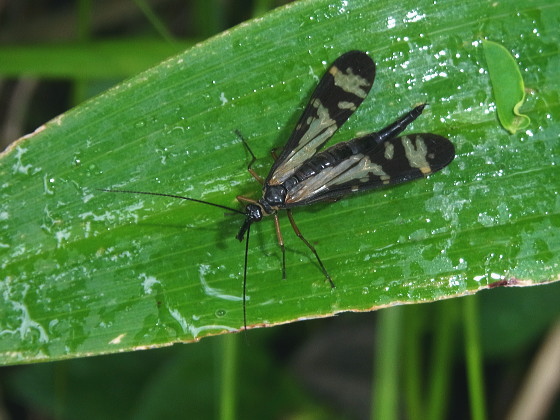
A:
86, 272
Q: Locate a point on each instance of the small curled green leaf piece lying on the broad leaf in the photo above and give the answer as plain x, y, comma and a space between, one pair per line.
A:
507, 85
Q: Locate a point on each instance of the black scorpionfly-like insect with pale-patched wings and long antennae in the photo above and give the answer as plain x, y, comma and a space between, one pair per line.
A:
302, 175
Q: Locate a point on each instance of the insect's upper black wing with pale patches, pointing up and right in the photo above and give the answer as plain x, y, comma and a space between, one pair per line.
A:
339, 93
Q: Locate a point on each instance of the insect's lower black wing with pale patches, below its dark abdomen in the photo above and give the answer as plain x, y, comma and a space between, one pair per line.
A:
397, 160
